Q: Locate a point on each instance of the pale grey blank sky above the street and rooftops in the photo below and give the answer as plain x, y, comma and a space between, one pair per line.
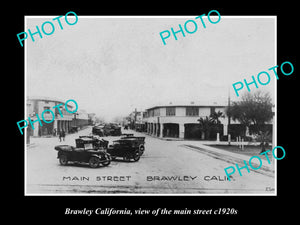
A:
112, 65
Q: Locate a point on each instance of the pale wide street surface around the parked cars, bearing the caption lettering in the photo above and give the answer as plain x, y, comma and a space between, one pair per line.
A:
167, 167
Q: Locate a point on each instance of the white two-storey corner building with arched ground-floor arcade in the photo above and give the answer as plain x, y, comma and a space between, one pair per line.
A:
181, 120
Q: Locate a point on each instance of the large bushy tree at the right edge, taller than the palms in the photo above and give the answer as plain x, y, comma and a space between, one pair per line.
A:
254, 109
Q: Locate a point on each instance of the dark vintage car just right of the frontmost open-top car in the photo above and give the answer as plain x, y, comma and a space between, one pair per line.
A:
127, 148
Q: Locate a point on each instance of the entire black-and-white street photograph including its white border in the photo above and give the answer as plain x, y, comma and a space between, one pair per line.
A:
150, 105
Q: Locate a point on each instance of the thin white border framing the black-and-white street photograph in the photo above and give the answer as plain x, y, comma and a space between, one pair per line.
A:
133, 194
